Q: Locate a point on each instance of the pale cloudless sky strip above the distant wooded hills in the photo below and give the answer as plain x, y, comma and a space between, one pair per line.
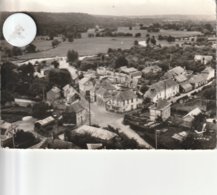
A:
114, 7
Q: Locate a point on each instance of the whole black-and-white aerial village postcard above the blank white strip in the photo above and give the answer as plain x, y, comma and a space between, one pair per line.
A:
108, 75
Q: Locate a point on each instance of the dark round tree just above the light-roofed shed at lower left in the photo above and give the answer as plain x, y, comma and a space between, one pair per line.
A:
40, 110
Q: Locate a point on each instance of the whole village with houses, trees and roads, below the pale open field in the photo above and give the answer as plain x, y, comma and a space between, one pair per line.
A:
137, 98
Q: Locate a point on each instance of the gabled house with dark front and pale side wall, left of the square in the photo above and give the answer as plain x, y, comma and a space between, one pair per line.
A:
75, 114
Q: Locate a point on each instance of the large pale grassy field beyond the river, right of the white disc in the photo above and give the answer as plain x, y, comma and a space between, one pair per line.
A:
85, 46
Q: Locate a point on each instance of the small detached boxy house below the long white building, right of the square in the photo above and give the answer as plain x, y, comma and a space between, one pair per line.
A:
160, 109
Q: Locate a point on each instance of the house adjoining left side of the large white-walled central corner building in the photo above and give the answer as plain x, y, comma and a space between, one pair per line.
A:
104, 91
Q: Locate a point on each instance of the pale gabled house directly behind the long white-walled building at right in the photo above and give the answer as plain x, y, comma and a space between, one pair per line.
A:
178, 74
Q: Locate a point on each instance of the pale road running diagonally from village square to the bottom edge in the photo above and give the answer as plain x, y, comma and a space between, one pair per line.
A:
132, 134
